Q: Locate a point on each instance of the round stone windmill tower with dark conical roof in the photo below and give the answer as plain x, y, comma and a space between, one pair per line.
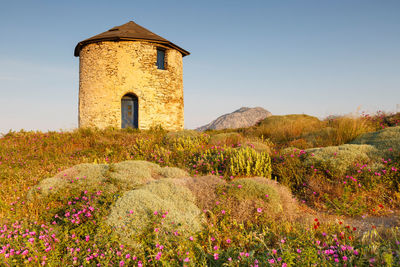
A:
130, 77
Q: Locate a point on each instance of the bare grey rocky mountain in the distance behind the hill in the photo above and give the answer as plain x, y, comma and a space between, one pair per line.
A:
243, 117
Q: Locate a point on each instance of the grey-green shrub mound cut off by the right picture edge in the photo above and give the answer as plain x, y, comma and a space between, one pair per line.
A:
387, 141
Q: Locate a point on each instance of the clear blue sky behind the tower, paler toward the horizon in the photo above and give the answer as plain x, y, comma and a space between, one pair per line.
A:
300, 56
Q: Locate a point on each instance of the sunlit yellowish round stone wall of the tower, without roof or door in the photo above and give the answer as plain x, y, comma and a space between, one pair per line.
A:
109, 70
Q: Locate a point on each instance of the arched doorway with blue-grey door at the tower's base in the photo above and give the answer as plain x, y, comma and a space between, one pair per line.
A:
129, 111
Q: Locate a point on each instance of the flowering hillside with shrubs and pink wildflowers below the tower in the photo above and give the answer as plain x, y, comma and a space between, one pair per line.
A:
243, 197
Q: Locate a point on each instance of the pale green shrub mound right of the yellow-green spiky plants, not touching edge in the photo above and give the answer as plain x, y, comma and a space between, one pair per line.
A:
338, 159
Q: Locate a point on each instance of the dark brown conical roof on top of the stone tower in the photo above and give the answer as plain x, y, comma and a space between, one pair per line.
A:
128, 32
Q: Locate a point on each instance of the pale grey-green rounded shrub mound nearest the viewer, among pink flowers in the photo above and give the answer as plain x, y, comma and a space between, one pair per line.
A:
137, 210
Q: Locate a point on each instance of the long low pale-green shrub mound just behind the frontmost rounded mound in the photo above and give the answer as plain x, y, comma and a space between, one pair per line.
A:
123, 175
